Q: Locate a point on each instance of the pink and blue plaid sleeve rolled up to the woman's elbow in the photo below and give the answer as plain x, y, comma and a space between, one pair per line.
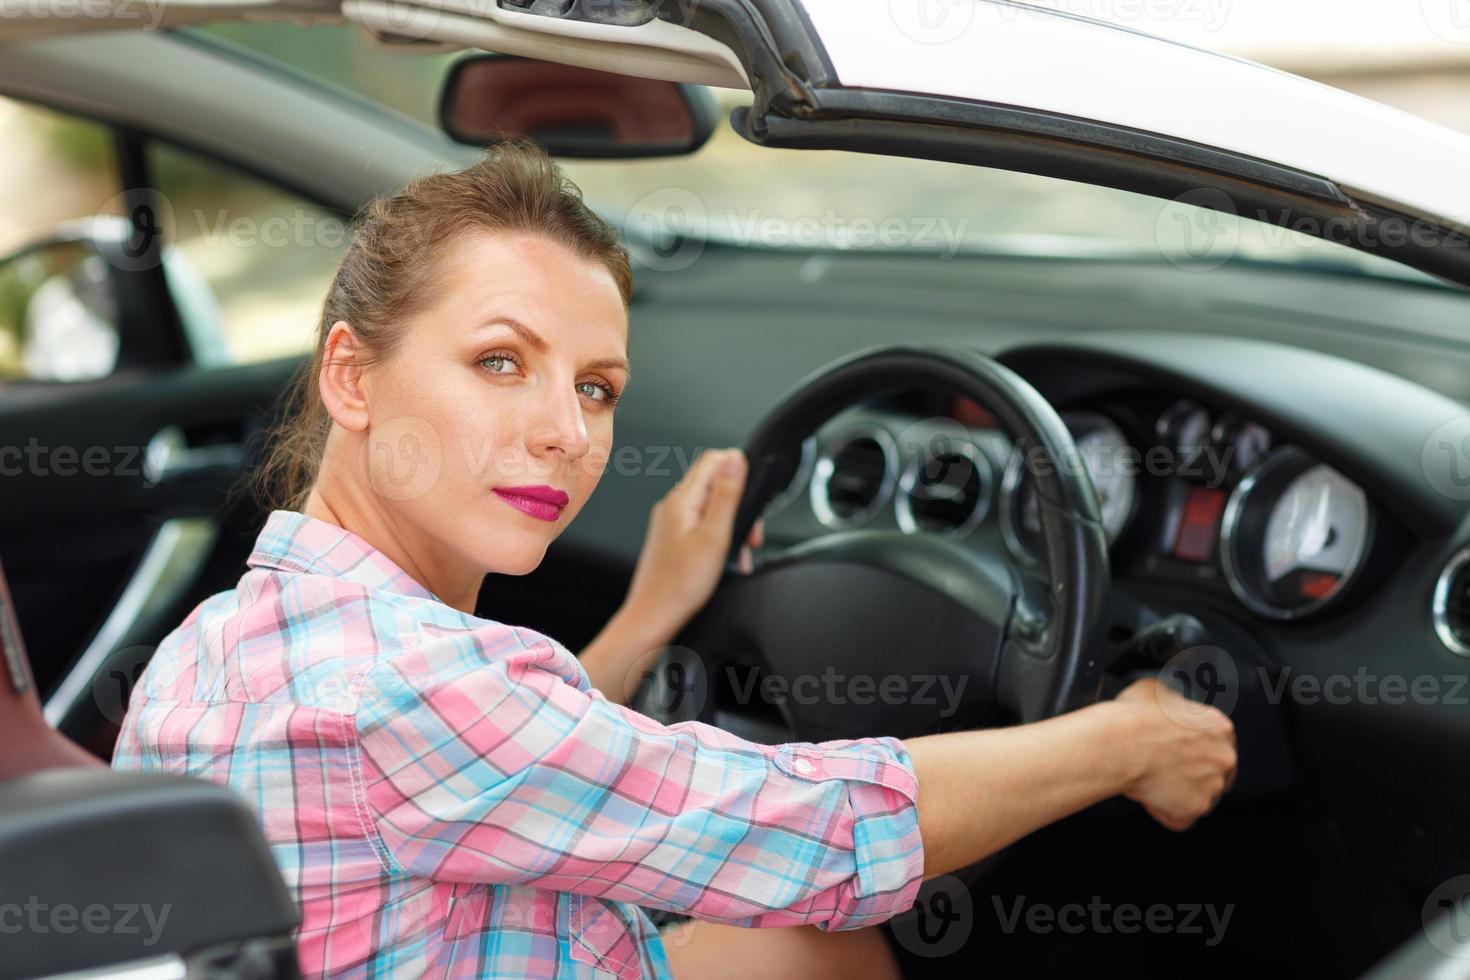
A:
492, 766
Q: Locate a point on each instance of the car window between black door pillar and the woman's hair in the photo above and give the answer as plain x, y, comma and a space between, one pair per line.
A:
251, 262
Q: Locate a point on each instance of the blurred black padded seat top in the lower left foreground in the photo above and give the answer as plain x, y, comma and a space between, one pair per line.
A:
182, 860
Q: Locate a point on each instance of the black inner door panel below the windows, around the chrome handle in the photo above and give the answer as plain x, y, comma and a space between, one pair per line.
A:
85, 505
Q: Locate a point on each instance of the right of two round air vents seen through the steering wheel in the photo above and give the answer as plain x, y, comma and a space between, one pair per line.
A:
946, 489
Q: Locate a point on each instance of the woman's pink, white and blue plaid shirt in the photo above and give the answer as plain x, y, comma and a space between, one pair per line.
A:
449, 797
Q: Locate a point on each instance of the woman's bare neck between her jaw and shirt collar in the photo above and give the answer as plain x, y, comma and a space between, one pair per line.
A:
340, 503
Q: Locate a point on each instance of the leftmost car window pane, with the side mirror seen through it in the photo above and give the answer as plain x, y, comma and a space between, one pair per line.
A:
57, 318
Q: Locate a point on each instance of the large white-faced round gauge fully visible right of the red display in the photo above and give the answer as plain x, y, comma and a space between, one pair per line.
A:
1294, 534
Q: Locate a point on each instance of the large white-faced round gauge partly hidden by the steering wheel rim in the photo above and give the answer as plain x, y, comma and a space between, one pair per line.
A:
1112, 465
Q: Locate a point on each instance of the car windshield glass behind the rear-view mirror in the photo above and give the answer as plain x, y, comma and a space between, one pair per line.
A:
749, 196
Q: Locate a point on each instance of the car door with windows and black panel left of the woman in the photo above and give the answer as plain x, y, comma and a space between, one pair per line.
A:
126, 496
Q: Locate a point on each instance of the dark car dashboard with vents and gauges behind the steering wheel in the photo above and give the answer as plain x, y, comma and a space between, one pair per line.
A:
1352, 375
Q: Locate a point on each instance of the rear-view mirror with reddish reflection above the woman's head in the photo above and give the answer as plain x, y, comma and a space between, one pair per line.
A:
574, 112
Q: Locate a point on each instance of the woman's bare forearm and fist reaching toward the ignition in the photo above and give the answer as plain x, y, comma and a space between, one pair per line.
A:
981, 791
